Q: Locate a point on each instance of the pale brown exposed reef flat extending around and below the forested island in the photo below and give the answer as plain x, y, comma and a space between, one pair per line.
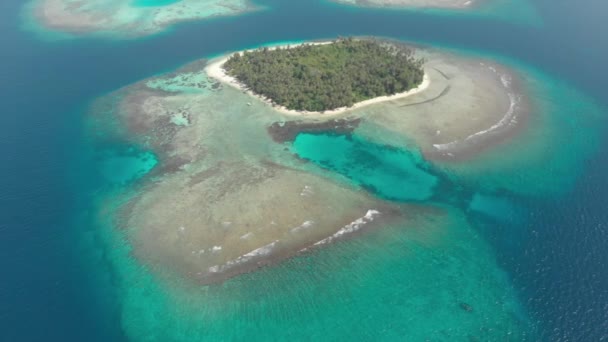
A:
229, 196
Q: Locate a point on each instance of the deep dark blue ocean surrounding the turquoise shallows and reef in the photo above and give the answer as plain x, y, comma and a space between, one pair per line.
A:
557, 258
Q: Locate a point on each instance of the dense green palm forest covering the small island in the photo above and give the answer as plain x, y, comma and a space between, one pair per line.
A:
323, 77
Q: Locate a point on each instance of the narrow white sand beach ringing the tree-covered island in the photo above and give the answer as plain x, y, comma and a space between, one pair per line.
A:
215, 70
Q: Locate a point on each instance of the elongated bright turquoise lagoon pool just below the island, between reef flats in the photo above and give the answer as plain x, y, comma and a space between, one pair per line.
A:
392, 173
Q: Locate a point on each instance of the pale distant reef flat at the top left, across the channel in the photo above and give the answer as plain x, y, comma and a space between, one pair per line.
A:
124, 18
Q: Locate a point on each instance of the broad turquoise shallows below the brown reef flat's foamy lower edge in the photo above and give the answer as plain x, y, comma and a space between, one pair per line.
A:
430, 277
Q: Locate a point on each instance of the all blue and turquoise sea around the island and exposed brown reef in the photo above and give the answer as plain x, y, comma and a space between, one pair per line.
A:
520, 244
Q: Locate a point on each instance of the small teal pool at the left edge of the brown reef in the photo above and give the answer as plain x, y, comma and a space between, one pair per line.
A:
121, 167
